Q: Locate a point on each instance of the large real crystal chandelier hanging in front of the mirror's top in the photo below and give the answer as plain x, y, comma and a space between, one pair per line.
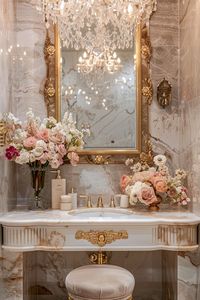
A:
85, 24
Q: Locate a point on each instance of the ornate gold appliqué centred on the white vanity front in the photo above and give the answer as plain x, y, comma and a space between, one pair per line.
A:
101, 238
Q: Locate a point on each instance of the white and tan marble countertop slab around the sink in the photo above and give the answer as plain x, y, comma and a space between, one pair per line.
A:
60, 218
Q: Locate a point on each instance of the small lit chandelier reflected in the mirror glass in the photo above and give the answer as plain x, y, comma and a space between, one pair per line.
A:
97, 61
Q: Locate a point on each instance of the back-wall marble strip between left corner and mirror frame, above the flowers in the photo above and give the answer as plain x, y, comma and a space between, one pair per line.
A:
29, 69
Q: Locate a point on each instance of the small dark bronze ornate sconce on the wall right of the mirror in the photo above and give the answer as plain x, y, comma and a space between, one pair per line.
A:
164, 93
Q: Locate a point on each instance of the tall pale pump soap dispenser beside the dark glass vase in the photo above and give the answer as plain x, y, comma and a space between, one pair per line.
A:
58, 189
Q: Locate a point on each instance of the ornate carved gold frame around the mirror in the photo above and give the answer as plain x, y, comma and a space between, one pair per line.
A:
52, 97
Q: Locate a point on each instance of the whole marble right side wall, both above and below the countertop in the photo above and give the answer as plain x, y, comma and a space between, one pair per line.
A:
189, 264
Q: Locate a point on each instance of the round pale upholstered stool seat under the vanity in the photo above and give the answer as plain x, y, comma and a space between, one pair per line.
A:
105, 282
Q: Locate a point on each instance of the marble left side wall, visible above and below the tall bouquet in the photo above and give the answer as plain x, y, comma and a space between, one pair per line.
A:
7, 39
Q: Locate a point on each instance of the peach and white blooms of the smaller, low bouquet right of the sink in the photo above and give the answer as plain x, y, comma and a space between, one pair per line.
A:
152, 184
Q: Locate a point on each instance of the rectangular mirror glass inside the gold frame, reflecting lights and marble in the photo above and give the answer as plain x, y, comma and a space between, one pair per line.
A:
100, 90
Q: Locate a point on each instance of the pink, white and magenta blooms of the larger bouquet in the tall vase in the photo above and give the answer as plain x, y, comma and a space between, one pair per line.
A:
46, 142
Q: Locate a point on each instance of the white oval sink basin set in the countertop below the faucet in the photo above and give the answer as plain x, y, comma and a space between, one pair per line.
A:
101, 212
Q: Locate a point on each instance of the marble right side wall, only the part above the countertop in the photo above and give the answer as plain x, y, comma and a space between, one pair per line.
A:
190, 95
